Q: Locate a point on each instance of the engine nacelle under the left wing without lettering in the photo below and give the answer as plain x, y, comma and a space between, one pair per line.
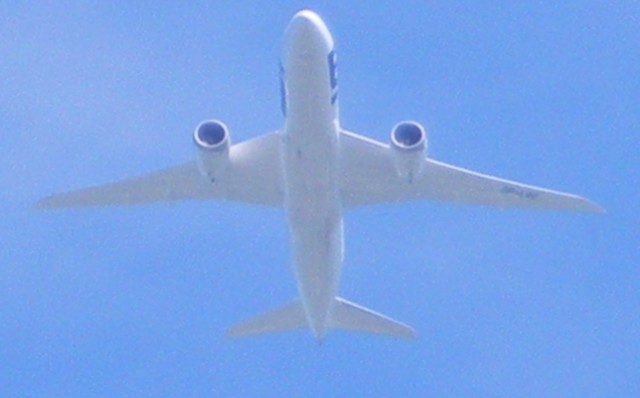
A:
212, 142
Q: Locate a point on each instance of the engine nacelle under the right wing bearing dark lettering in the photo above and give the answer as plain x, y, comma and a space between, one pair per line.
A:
409, 148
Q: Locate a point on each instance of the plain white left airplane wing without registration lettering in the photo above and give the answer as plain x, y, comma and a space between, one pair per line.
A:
254, 175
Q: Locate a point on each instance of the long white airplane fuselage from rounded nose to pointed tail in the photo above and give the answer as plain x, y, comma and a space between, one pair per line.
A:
311, 166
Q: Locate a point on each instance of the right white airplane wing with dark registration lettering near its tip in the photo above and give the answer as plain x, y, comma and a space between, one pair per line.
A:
369, 177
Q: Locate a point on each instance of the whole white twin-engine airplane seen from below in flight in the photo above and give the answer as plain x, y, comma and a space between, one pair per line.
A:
314, 169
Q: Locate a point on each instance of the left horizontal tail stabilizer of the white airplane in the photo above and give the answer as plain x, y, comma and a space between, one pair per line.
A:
288, 317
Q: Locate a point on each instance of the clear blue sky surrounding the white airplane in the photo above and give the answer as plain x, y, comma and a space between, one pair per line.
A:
124, 302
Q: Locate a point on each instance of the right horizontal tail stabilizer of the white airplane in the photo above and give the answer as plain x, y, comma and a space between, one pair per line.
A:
350, 316
